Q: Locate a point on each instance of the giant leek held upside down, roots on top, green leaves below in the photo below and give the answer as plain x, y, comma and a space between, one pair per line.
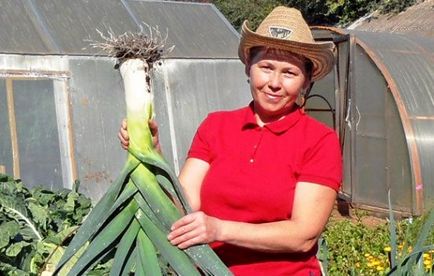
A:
131, 221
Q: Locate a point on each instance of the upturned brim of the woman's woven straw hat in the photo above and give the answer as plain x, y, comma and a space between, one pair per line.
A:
320, 53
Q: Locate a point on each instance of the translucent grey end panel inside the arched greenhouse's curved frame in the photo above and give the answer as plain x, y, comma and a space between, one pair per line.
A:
379, 153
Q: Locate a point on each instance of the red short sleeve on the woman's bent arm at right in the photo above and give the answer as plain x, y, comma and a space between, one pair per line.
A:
322, 163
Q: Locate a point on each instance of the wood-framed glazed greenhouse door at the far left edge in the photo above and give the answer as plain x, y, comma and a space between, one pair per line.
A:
34, 136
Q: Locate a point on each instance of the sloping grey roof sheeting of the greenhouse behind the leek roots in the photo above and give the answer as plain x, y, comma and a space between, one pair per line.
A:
68, 27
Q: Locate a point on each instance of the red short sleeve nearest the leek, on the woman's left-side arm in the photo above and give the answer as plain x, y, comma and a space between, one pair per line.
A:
201, 145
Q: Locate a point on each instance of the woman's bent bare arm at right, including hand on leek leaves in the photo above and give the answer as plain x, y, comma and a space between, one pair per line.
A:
313, 204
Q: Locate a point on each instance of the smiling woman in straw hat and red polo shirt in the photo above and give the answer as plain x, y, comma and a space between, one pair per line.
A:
263, 179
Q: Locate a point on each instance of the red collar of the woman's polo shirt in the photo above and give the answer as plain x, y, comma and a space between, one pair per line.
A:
276, 127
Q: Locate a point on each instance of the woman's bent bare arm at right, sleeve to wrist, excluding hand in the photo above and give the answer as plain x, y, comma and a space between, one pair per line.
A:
313, 204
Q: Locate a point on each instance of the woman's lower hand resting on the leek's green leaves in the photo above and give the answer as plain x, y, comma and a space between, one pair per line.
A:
194, 228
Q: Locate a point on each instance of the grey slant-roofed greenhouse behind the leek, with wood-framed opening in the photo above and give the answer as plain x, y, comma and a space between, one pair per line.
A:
61, 100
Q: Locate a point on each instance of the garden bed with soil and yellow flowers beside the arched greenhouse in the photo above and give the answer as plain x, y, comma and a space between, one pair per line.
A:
359, 242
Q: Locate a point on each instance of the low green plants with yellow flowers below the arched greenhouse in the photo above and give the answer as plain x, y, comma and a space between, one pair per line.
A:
355, 248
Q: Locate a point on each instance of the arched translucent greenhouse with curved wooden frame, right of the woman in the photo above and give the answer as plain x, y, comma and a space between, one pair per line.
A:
383, 105
